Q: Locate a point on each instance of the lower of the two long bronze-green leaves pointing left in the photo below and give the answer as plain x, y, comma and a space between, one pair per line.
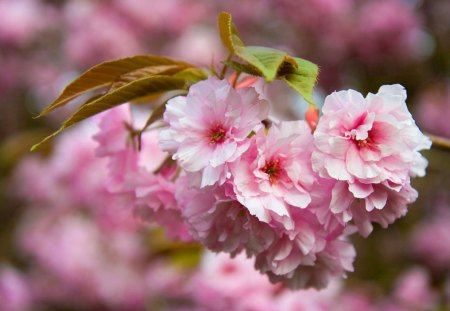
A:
136, 89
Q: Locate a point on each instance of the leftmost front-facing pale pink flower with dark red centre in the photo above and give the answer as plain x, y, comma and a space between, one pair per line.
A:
208, 128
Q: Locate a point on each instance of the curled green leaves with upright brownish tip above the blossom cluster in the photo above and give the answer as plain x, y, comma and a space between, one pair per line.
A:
269, 63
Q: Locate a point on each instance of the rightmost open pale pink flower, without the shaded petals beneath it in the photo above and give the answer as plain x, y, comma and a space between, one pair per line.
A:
373, 139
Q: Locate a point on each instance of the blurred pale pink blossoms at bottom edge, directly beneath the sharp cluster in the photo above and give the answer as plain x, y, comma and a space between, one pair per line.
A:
224, 283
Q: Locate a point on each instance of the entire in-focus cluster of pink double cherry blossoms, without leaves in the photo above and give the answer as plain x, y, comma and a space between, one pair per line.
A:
237, 182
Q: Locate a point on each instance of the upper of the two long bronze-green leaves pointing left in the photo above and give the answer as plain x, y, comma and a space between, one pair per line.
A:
105, 74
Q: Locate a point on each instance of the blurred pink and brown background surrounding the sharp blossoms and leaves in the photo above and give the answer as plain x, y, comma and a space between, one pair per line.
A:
67, 244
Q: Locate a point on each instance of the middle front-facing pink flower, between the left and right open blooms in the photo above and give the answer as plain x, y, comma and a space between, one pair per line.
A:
276, 172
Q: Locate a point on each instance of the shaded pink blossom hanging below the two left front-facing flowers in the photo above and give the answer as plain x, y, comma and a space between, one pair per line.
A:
221, 223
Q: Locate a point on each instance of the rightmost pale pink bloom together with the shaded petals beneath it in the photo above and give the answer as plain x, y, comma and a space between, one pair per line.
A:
372, 144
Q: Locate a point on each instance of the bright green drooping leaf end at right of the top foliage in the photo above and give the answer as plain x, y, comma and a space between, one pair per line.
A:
301, 78
